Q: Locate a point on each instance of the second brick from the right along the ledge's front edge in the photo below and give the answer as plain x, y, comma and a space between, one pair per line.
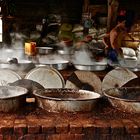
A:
117, 127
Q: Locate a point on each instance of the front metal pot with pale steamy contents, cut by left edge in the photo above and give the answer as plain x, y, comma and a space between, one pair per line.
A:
12, 98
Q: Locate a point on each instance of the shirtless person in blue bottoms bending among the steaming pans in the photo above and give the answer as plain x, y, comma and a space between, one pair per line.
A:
113, 40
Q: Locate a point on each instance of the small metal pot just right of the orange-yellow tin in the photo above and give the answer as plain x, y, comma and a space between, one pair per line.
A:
44, 50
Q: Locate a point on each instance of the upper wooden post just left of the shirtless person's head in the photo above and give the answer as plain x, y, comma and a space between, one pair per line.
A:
112, 13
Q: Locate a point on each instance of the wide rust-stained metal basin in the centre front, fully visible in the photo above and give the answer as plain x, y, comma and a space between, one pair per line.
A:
66, 100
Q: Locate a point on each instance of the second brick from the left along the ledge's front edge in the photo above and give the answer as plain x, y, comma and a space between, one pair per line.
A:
20, 129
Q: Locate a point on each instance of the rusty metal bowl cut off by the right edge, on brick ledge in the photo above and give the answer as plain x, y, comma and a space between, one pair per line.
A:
126, 99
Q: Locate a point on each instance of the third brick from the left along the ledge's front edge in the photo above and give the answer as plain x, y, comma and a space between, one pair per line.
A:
34, 129
